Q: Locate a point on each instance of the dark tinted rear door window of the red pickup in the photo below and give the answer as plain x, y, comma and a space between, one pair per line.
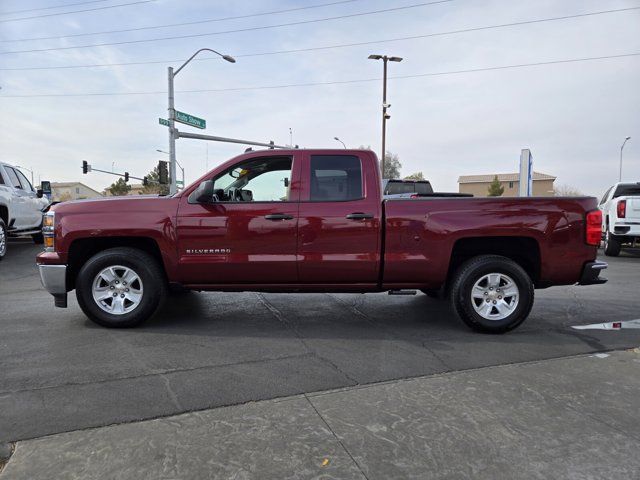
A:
335, 178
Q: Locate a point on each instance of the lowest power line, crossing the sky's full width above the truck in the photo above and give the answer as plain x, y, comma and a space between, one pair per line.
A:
335, 82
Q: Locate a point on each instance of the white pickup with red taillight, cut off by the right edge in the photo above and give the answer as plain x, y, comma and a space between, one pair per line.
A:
620, 207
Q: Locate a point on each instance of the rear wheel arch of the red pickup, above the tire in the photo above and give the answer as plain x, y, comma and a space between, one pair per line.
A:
525, 251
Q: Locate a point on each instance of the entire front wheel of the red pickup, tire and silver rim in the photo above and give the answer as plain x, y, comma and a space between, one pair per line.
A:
120, 287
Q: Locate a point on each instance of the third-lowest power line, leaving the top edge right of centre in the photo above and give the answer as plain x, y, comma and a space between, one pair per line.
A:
249, 29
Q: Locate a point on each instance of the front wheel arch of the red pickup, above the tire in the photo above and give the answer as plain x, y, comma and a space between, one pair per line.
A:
83, 249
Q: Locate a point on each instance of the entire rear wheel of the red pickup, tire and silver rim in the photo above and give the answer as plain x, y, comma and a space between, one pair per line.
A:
492, 294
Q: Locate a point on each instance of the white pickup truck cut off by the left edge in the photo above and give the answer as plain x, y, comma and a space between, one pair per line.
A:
21, 207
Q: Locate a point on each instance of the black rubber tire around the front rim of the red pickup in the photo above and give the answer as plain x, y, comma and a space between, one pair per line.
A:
146, 268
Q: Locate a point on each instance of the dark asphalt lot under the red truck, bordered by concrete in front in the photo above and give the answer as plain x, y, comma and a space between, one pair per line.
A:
60, 372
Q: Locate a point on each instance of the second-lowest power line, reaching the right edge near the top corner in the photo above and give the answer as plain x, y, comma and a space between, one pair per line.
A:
328, 47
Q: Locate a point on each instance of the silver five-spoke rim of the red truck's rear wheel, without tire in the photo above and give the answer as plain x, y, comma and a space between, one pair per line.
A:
495, 296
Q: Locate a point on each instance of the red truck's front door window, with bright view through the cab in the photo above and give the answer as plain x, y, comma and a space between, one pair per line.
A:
257, 180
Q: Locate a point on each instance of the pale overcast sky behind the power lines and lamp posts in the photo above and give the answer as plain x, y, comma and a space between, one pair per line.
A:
573, 116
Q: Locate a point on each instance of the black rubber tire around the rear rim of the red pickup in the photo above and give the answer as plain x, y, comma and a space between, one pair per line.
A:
473, 271
